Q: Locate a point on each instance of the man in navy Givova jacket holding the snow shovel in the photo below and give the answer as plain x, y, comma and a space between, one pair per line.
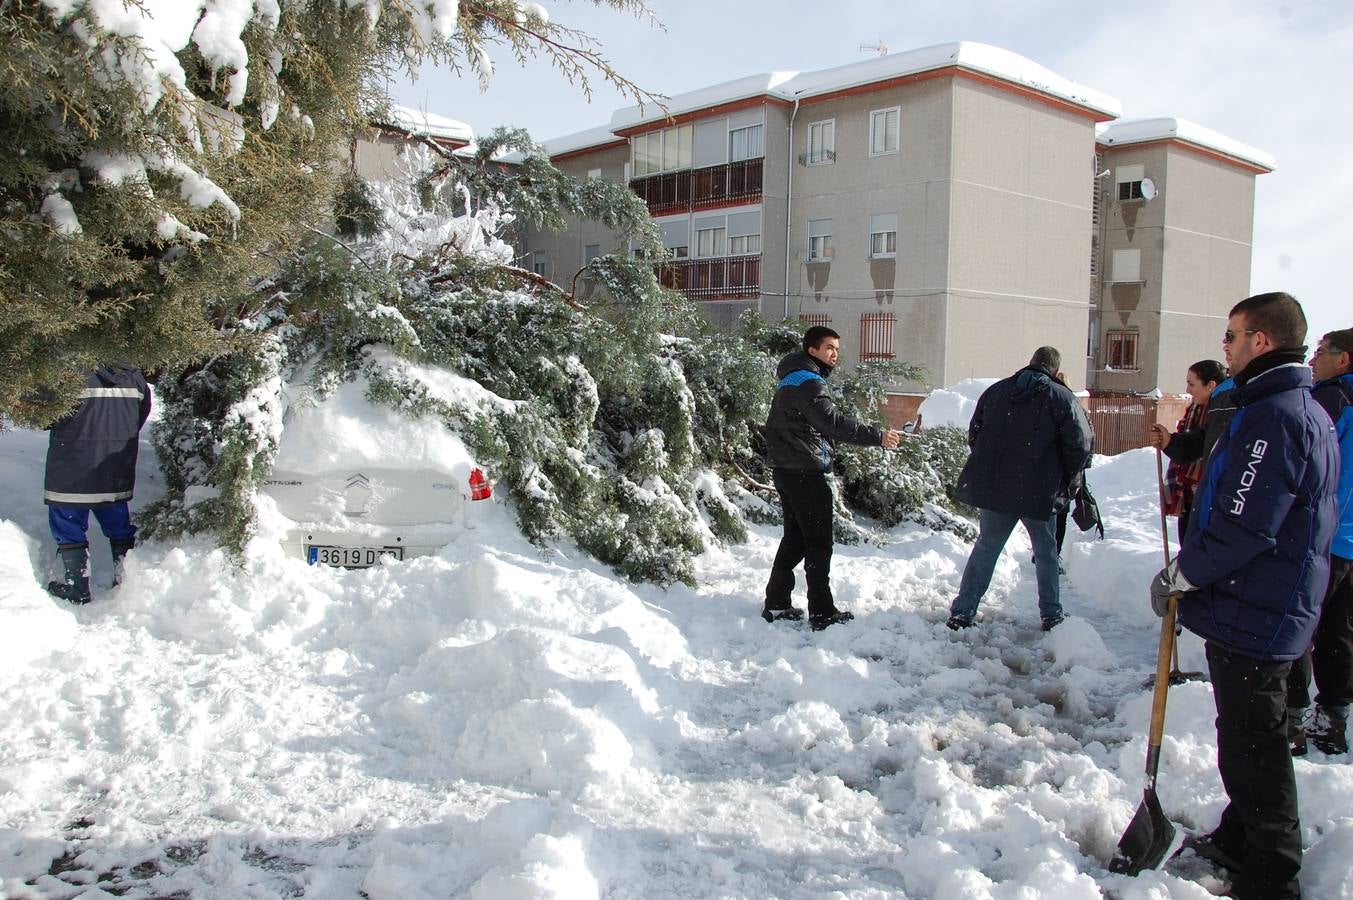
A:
1252, 570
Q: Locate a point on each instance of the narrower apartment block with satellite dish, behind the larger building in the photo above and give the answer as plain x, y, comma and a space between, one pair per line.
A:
1172, 236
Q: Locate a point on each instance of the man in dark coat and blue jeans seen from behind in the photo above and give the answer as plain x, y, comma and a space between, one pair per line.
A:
1030, 439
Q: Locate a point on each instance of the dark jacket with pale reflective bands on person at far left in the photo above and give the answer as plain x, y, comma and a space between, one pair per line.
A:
93, 453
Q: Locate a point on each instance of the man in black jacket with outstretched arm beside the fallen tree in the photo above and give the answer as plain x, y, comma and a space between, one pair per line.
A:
800, 434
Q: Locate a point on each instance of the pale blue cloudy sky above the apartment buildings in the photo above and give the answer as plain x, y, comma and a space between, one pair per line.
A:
1277, 76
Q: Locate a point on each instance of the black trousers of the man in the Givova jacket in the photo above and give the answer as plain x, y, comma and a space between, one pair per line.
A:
1260, 825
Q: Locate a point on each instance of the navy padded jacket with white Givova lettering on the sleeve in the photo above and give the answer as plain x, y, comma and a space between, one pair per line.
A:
1259, 541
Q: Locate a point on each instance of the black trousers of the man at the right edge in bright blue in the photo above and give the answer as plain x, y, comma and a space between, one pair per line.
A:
1331, 657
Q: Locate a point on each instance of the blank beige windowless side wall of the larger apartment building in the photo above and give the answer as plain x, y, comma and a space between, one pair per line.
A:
1019, 233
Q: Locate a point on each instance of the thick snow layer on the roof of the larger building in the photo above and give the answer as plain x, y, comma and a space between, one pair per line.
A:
788, 86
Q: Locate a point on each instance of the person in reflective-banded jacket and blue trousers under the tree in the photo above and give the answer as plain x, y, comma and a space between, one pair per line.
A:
93, 466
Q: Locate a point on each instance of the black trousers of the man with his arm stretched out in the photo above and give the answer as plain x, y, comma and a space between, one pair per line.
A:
807, 499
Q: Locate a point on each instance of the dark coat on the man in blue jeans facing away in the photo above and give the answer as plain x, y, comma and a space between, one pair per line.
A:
1030, 441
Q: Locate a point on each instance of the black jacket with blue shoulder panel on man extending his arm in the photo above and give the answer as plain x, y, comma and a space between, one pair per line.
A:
804, 424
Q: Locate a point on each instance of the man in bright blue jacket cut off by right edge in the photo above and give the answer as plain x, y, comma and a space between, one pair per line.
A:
1331, 658
